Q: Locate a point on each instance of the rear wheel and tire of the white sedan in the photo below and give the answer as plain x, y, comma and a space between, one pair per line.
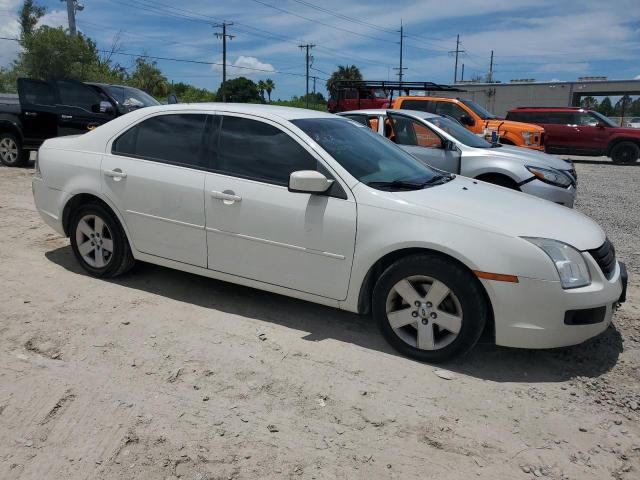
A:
99, 242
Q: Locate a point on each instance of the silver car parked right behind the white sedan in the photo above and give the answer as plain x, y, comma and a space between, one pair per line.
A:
441, 142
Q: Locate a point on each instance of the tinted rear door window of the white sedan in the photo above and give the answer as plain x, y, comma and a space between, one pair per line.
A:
174, 139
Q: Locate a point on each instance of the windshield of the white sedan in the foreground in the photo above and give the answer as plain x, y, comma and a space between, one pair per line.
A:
369, 157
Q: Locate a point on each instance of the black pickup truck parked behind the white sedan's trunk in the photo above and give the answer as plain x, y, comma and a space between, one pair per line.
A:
60, 107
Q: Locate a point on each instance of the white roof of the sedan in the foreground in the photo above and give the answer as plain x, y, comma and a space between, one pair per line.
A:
285, 113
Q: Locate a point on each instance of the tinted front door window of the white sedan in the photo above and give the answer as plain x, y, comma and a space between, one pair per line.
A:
259, 151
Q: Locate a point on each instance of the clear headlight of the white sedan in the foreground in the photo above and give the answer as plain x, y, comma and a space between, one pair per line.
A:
569, 262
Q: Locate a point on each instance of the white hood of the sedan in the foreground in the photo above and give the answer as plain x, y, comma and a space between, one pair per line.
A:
504, 211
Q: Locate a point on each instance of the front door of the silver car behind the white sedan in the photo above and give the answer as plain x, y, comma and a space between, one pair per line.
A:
419, 140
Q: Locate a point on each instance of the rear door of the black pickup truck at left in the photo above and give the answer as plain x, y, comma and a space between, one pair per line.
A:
39, 119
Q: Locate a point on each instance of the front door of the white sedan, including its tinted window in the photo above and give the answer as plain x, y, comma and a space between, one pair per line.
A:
257, 229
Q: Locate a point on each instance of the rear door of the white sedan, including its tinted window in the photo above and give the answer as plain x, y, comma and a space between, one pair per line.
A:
154, 175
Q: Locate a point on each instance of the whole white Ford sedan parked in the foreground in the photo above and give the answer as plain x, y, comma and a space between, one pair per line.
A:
314, 206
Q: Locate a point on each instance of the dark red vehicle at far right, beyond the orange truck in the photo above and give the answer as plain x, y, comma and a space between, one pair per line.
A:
576, 131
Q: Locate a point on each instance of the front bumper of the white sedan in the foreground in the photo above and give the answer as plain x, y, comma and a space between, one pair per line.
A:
541, 314
